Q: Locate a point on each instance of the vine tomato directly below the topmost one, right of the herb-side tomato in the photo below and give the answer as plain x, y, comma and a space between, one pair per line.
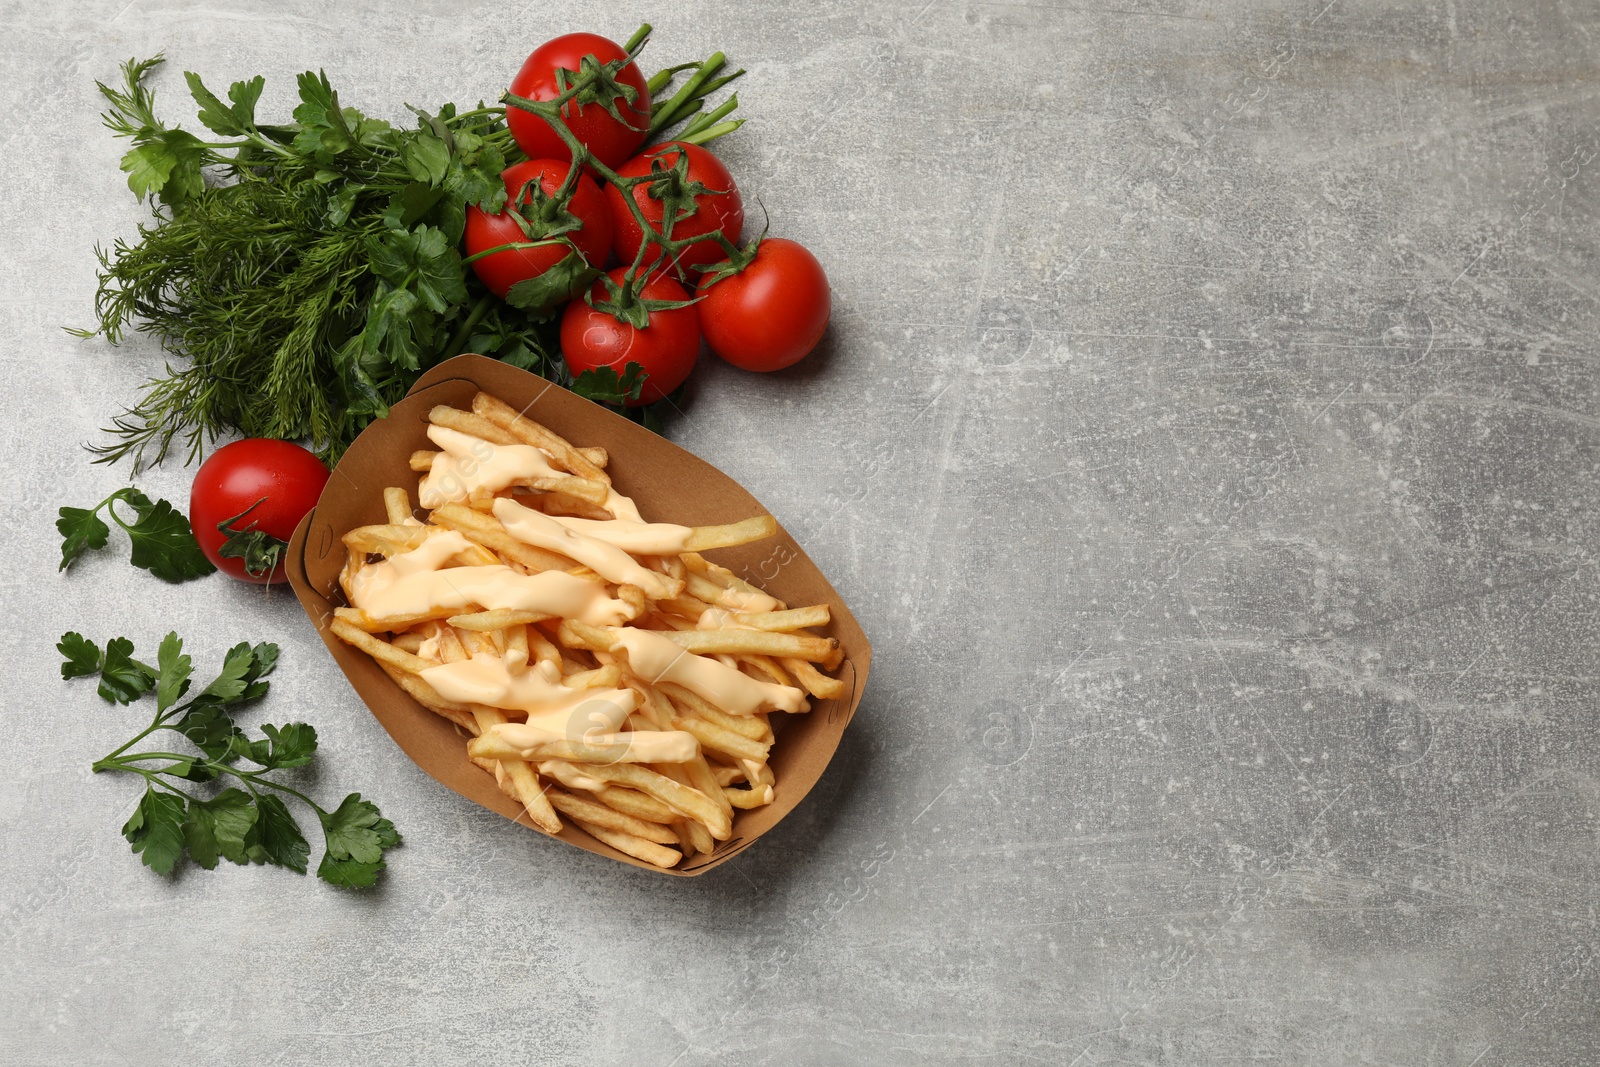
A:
713, 212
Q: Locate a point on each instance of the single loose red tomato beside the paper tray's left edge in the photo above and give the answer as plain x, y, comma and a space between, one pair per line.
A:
257, 482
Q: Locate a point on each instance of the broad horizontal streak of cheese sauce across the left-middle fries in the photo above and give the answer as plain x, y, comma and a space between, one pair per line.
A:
415, 581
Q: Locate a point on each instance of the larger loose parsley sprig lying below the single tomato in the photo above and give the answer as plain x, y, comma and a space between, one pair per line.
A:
249, 823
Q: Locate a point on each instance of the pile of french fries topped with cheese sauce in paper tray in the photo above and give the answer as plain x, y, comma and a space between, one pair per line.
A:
650, 745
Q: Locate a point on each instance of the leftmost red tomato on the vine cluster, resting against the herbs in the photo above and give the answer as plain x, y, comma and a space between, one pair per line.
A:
486, 231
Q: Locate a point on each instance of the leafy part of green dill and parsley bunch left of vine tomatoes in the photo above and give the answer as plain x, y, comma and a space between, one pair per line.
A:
305, 273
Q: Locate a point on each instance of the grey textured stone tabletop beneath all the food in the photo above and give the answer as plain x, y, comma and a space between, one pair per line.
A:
1206, 438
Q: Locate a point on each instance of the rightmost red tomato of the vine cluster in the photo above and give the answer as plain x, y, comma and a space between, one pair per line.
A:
770, 314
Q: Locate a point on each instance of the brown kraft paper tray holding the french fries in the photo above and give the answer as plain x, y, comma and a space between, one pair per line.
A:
670, 486
